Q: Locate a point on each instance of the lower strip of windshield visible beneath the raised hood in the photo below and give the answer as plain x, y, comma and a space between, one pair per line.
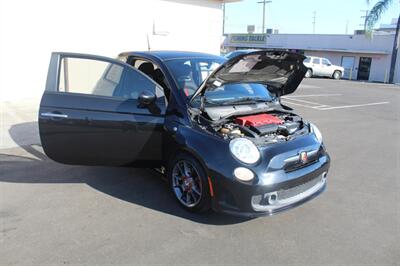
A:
236, 93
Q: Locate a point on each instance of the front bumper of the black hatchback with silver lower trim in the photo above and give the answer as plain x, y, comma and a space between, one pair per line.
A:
263, 199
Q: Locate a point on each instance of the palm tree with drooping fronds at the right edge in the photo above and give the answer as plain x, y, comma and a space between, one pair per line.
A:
374, 15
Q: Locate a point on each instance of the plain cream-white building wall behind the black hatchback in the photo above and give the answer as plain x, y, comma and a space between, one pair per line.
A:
31, 29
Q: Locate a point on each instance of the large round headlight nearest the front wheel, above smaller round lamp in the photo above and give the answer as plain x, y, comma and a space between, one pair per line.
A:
244, 150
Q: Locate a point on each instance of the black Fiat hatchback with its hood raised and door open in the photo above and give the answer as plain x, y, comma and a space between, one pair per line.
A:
217, 130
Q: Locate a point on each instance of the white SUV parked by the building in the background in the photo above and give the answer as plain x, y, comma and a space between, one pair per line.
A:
322, 67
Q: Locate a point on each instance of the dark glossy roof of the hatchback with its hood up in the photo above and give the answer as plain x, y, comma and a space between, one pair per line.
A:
168, 55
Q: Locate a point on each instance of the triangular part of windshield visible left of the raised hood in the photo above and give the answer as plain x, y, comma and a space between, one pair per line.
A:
190, 73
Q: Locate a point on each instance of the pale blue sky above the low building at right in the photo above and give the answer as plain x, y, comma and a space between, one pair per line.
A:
294, 16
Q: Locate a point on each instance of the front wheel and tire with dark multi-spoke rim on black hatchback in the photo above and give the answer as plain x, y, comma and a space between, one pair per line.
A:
189, 183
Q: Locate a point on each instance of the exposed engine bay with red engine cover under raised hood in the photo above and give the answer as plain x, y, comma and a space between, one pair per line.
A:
267, 127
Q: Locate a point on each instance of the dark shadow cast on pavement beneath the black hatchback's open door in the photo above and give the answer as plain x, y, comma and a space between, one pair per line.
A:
139, 186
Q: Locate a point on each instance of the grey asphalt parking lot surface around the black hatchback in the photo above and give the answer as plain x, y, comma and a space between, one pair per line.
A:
58, 214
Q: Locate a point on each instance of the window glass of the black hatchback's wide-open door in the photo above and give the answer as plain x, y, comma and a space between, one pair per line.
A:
102, 78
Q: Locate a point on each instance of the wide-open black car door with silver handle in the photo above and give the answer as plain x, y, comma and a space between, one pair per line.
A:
90, 113
